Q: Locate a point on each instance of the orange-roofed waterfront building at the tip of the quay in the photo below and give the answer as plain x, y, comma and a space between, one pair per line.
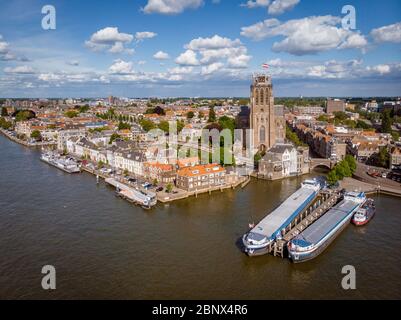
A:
201, 177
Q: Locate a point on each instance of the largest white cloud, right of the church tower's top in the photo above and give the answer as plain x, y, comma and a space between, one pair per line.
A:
306, 36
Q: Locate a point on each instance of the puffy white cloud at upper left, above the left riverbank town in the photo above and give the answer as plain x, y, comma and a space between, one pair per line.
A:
110, 39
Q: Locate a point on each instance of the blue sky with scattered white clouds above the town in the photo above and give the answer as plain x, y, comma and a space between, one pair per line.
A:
169, 48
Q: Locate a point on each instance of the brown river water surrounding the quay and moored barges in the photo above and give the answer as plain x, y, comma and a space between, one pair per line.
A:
103, 247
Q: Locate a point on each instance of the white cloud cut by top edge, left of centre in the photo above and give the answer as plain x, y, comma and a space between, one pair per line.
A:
170, 6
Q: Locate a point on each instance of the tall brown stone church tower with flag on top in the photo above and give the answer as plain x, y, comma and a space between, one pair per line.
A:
262, 113
